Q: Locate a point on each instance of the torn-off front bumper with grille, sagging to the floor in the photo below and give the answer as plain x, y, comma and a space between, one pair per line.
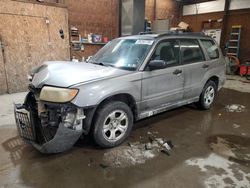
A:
28, 127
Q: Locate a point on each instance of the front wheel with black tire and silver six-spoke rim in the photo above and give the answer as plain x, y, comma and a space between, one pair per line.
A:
114, 122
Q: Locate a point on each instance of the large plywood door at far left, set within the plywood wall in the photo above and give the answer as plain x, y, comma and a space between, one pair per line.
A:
26, 44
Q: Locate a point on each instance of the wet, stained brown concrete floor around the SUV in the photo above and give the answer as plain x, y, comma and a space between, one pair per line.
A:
211, 149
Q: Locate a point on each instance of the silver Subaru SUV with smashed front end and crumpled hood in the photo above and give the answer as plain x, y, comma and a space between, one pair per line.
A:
129, 79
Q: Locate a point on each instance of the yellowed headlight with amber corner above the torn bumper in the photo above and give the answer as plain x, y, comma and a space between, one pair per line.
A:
55, 94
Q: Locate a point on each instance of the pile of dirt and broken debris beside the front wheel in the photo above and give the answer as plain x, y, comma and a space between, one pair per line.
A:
136, 153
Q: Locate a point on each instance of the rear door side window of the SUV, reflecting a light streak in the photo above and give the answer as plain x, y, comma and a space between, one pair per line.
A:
191, 51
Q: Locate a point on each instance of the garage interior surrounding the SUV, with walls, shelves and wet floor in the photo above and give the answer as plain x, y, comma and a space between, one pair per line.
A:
208, 148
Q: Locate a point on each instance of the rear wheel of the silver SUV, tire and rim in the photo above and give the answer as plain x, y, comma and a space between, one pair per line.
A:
207, 96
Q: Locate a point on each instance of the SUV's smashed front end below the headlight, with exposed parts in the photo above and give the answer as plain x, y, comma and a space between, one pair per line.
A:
49, 127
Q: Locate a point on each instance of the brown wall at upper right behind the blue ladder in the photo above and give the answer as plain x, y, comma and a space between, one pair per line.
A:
235, 17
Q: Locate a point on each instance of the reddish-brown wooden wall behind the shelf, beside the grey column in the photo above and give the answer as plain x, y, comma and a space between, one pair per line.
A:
98, 17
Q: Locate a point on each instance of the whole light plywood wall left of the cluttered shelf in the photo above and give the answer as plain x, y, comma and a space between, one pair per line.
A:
30, 35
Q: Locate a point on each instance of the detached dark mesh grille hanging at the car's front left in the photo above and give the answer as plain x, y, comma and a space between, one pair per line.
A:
26, 130
